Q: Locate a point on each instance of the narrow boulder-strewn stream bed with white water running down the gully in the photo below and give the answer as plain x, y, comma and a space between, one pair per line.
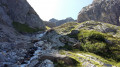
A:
40, 48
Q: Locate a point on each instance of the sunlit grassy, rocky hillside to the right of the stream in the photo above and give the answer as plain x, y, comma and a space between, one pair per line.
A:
90, 43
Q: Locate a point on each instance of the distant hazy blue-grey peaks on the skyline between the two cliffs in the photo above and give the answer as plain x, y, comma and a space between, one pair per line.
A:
60, 22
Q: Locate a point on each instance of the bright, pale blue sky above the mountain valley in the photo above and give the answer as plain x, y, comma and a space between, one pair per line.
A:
58, 9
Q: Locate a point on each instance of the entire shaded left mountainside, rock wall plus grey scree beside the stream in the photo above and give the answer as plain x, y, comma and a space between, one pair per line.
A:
16, 17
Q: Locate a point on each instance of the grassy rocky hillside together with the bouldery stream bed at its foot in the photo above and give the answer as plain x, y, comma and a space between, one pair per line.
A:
87, 44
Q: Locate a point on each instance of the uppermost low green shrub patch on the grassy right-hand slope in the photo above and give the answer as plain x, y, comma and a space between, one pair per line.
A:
91, 35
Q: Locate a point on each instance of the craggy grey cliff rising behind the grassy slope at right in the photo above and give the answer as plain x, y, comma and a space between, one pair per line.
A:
101, 10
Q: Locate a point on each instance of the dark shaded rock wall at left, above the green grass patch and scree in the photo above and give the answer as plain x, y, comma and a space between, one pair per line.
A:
19, 11
